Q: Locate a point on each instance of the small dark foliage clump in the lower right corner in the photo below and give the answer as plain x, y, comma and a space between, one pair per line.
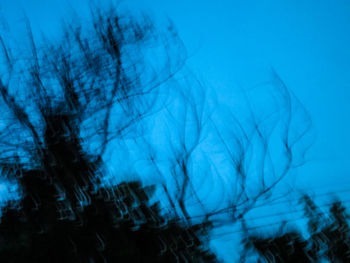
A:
329, 238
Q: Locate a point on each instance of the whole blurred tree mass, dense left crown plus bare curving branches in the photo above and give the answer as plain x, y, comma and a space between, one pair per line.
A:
68, 103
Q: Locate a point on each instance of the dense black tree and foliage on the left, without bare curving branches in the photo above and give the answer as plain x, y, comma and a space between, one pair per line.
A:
66, 213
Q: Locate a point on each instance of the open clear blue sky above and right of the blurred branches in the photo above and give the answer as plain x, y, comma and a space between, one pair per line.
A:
234, 44
